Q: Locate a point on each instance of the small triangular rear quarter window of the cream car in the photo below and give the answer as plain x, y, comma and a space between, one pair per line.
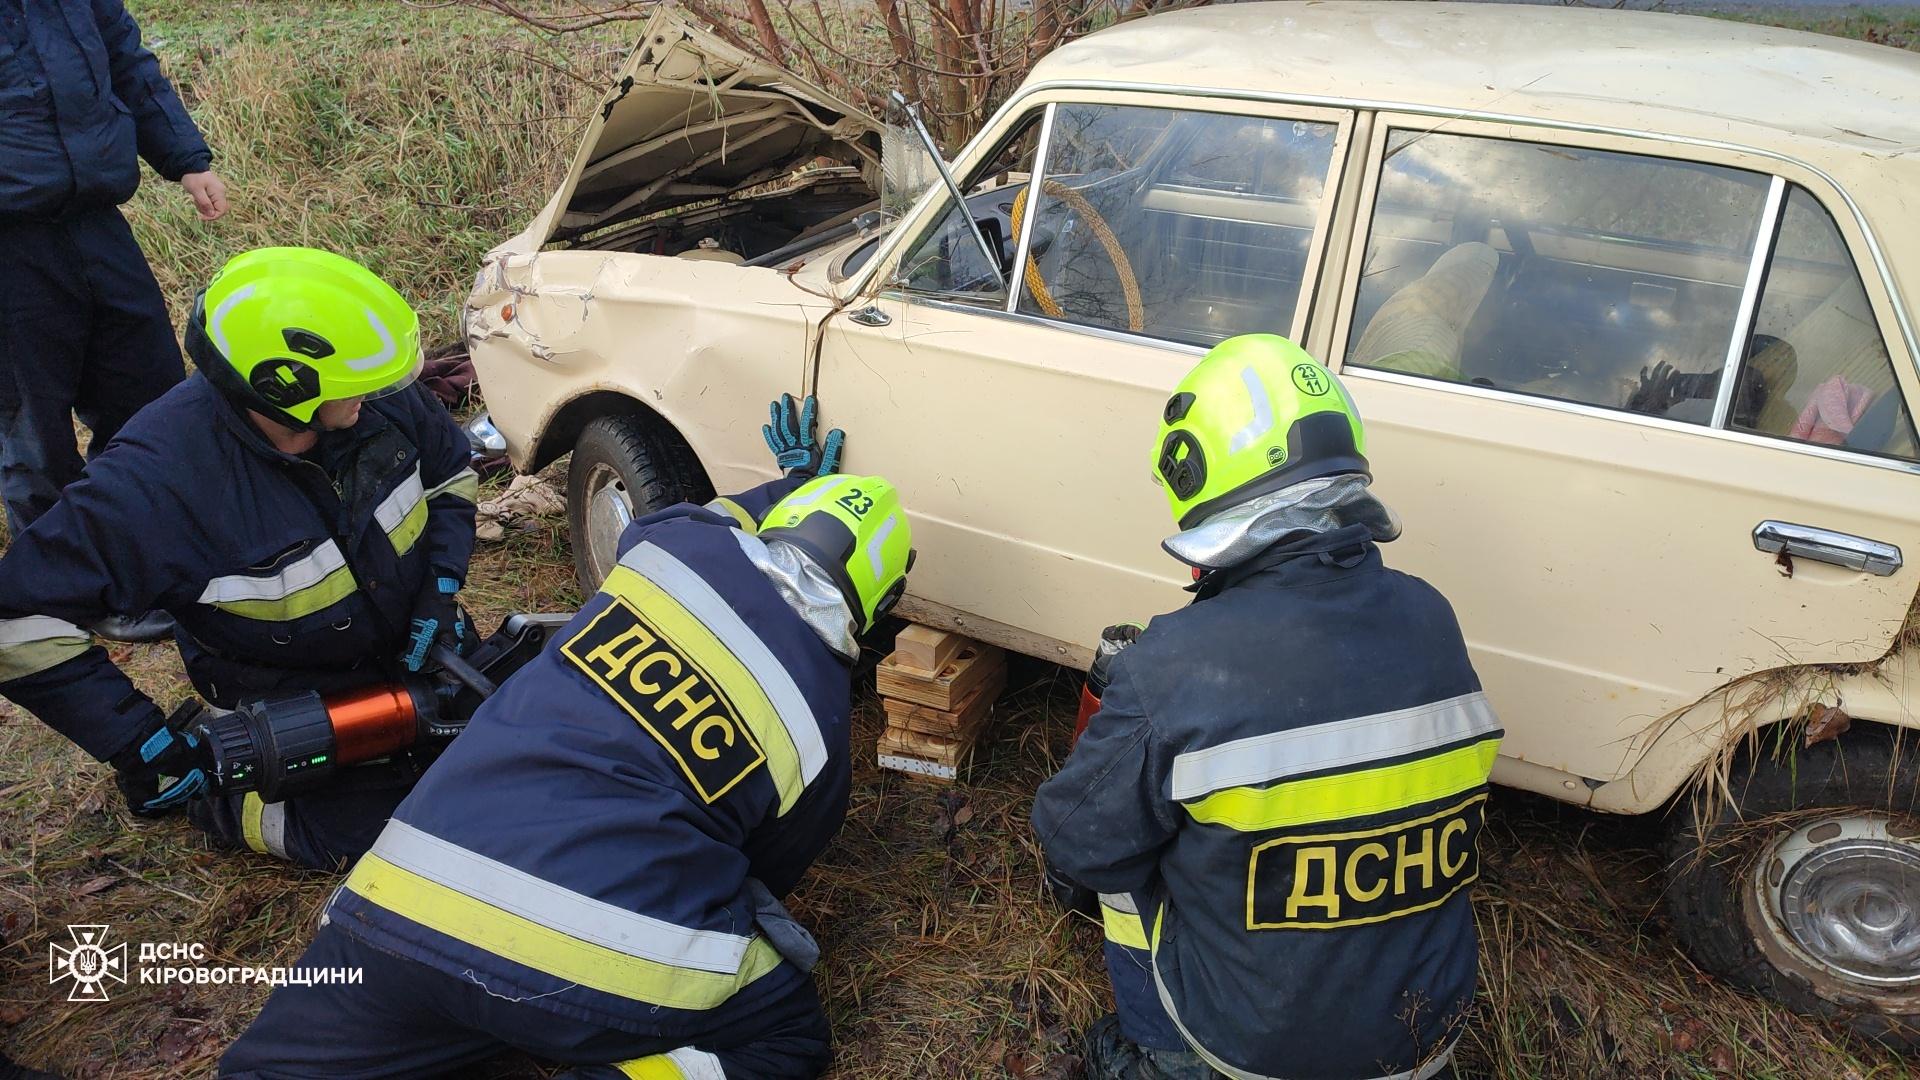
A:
1817, 368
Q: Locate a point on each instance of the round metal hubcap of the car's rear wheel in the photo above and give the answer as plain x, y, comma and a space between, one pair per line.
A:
1846, 896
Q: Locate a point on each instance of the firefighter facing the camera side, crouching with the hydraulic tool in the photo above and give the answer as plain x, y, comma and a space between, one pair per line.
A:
300, 508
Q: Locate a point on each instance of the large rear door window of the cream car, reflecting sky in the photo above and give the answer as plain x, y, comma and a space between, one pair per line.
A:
1585, 276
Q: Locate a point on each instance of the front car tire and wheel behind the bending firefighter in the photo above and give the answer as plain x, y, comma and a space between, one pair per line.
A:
625, 466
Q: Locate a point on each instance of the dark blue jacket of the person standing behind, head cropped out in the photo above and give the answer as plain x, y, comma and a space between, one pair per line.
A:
80, 97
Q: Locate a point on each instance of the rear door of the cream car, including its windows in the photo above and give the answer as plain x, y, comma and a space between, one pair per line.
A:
1606, 383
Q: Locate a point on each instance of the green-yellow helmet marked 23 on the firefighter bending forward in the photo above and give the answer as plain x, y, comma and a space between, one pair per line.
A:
857, 529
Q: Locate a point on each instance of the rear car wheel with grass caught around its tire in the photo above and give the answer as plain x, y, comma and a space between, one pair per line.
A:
1808, 885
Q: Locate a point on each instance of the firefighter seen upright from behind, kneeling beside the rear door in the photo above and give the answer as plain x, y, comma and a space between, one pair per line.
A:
1280, 797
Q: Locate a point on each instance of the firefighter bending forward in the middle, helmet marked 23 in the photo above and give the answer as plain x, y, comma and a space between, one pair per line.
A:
592, 873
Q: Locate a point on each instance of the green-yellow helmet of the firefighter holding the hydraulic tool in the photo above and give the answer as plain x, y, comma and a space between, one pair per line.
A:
287, 330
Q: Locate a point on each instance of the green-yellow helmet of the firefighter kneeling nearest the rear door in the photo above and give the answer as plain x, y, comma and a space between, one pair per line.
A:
1255, 416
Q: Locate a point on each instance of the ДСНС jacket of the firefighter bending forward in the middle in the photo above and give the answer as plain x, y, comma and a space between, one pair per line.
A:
590, 843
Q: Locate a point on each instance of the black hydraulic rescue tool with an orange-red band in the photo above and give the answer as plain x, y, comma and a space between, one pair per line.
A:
283, 747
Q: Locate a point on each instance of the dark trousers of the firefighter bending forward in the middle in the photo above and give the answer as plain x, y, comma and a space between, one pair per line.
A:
408, 1019
